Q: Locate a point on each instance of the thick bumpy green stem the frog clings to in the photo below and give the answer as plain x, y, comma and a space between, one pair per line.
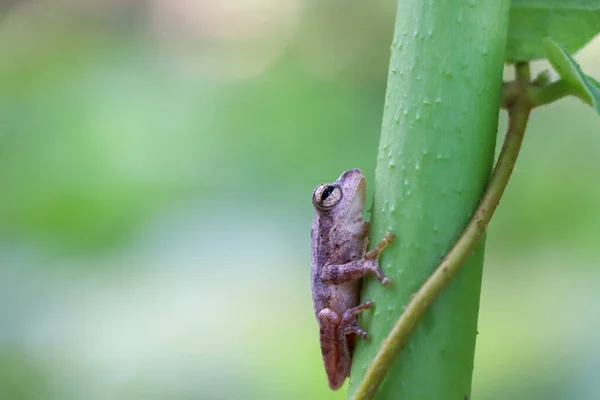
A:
435, 157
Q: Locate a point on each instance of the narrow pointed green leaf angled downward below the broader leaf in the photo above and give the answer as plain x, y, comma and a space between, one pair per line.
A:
569, 70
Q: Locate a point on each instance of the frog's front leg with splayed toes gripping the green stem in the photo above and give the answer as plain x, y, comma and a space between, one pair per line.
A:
353, 270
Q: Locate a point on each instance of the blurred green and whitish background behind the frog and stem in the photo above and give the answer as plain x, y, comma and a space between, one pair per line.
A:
157, 159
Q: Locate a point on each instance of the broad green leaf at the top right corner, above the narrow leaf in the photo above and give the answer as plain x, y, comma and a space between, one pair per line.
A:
570, 22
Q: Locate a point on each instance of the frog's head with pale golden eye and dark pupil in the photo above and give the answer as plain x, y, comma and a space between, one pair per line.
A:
342, 200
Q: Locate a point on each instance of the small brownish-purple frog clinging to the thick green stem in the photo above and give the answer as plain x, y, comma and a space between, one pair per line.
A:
338, 260
